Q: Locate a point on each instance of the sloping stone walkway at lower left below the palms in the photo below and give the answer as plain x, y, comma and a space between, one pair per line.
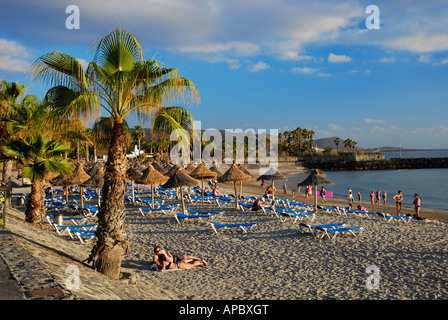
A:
46, 266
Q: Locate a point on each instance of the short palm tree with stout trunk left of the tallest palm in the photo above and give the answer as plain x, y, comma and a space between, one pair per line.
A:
40, 156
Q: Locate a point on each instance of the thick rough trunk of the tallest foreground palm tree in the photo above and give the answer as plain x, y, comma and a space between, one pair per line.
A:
107, 252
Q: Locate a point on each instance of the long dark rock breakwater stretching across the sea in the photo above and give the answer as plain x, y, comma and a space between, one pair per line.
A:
392, 164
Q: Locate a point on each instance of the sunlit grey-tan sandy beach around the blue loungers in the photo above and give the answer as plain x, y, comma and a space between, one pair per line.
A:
276, 261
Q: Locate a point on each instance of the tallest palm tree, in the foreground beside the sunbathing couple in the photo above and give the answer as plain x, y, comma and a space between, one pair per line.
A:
122, 82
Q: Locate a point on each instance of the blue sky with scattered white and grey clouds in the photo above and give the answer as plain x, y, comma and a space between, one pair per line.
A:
327, 66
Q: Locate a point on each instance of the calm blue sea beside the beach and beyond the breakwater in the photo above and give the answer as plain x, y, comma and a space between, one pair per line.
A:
430, 184
